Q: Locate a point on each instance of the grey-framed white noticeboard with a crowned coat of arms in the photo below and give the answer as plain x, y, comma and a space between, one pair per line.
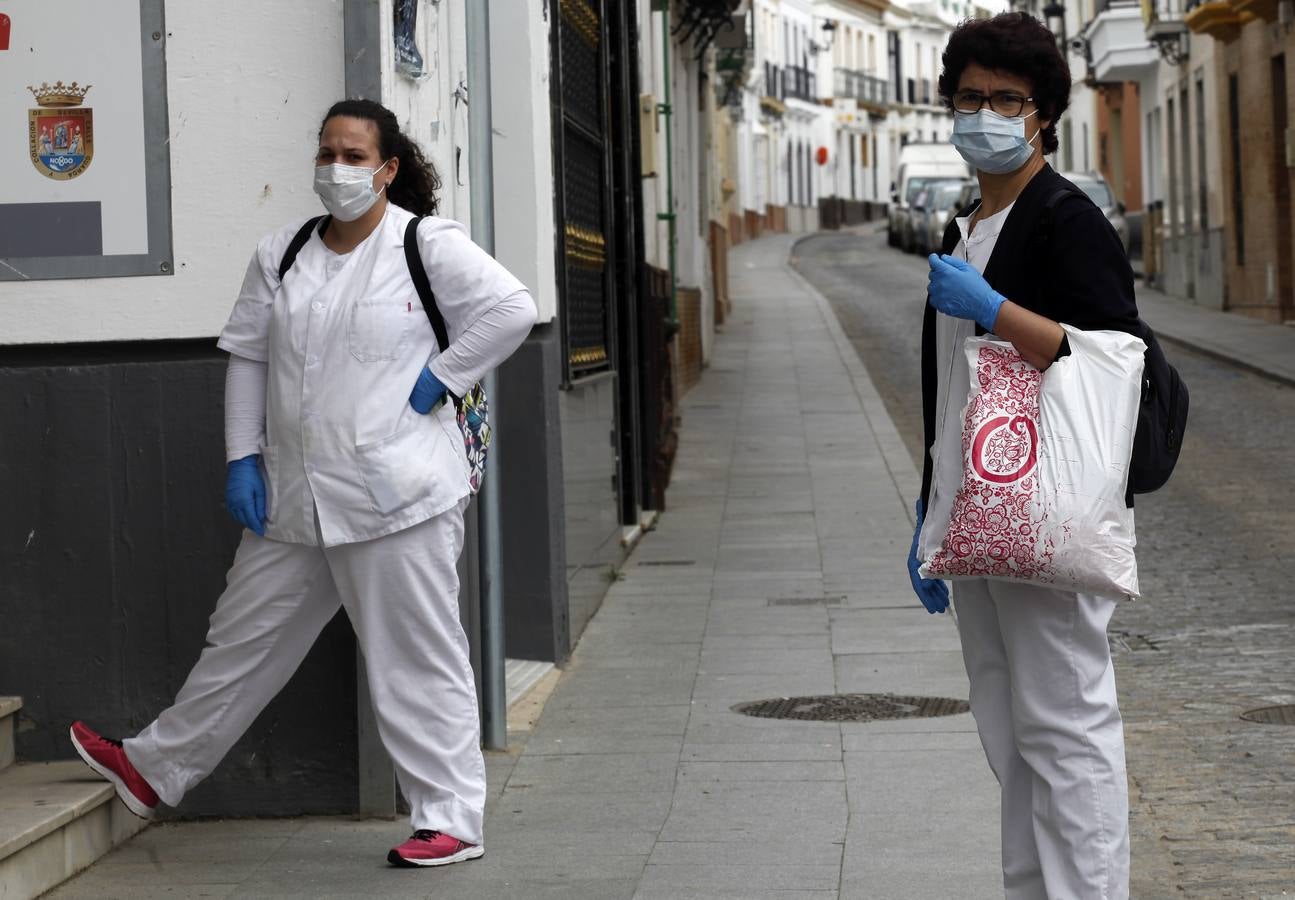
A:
84, 141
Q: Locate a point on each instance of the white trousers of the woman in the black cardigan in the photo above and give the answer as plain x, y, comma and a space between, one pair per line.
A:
1043, 695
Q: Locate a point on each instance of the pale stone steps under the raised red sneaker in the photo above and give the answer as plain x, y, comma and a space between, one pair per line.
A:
56, 819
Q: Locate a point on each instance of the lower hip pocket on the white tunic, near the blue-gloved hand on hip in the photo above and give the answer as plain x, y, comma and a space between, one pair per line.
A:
402, 469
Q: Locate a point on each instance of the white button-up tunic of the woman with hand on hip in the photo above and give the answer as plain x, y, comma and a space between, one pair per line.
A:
345, 340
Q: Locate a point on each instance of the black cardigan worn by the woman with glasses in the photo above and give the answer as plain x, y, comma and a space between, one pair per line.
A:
1070, 269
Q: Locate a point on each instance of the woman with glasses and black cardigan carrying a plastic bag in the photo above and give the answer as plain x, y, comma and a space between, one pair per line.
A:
1031, 254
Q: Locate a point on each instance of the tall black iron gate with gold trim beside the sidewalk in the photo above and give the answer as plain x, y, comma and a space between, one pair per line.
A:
613, 322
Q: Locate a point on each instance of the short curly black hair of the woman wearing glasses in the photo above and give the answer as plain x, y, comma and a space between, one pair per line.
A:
1015, 43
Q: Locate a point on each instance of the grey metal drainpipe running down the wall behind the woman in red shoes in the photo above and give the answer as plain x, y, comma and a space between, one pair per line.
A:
481, 168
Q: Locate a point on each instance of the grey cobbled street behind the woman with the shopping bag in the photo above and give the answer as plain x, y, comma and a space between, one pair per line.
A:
1213, 796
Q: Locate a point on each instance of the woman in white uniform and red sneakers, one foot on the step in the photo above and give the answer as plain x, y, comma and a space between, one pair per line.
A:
349, 472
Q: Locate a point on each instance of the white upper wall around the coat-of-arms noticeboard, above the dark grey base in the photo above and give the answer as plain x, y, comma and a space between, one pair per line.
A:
244, 118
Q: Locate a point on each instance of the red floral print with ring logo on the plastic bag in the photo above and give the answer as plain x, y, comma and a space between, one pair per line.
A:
997, 528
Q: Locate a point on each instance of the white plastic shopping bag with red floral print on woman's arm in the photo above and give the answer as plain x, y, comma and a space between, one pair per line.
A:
1046, 468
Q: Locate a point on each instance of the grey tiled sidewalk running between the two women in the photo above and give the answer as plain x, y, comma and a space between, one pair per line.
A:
778, 570
